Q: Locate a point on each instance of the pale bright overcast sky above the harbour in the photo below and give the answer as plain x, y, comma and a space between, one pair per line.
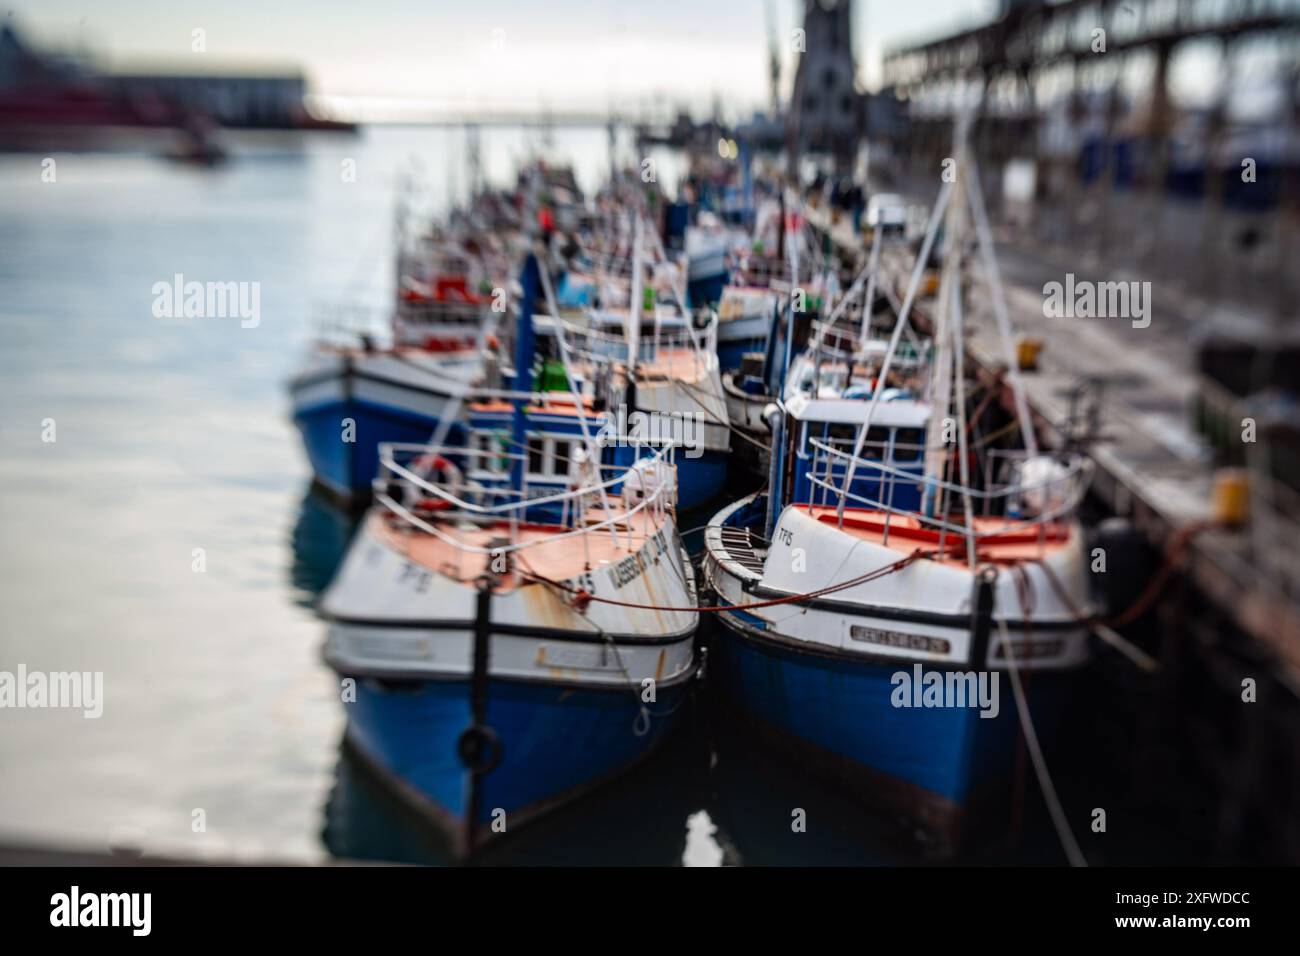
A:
453, 55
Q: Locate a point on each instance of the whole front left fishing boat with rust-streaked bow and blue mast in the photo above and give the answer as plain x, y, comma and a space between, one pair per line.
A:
502, 613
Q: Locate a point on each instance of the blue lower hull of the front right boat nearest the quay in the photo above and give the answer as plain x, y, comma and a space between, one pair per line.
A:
930, 763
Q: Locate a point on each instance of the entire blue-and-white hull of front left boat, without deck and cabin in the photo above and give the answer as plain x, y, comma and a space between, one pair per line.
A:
566, 694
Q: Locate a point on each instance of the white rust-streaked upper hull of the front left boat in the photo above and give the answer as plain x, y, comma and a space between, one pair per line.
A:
393, 618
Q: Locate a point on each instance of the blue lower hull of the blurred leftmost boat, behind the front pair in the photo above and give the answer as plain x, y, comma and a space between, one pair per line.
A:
348, 469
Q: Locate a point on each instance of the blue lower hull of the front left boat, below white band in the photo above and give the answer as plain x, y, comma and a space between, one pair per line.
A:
557, 742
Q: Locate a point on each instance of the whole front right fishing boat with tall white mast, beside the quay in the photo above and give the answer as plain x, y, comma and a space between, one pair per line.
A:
886, 587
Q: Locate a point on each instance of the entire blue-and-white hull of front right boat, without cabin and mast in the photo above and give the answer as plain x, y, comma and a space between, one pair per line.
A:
822, 676
